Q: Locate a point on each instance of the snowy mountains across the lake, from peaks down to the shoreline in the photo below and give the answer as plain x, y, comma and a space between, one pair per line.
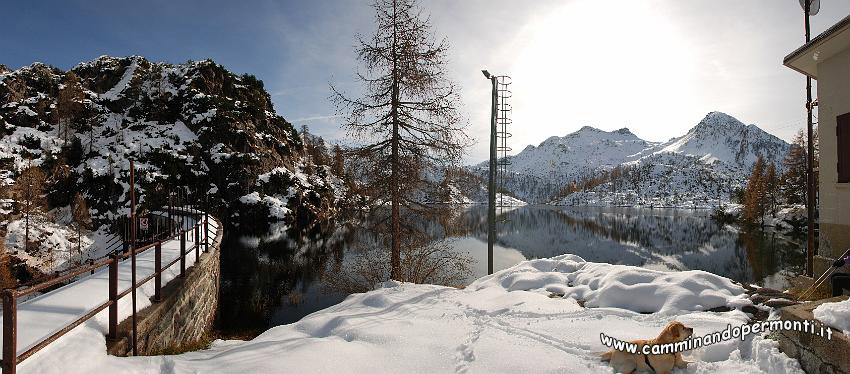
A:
698, 168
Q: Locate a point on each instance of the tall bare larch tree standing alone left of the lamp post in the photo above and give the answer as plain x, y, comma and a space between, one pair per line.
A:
407, 118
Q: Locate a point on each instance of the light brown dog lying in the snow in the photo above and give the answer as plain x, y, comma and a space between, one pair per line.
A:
626, 363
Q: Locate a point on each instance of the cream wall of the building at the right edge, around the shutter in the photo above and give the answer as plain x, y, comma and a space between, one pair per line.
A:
833, 100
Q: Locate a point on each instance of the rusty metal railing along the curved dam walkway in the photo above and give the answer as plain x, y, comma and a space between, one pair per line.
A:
10, 358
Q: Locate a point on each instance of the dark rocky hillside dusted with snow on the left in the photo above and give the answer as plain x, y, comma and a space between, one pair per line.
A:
194, 125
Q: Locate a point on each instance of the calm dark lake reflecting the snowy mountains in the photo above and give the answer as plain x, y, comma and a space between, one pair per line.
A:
274, 279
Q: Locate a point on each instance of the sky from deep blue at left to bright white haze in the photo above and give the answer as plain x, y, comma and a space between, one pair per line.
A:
654, 66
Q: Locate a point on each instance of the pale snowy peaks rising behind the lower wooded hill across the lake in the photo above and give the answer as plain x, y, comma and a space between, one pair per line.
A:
538, 173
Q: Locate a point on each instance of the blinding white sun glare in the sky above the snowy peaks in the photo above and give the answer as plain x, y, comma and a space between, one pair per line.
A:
572, 70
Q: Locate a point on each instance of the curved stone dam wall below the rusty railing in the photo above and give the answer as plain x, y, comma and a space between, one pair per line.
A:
186, 312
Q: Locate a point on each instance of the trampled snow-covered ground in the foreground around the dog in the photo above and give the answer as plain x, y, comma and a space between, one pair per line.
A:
509, 322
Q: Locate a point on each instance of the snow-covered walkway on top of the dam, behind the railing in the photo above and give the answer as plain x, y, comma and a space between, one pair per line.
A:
40, 317
